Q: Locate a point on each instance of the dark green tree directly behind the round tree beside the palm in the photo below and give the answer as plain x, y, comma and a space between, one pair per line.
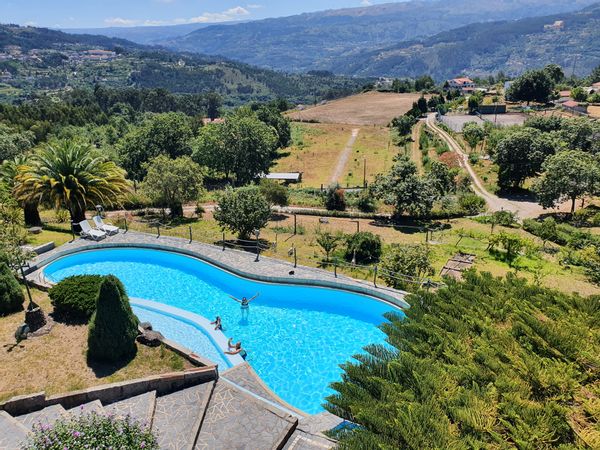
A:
160, 134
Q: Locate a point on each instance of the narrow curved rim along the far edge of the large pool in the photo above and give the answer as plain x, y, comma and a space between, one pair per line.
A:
325, 284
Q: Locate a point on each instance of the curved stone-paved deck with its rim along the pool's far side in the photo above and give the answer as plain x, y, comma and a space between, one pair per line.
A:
235, 261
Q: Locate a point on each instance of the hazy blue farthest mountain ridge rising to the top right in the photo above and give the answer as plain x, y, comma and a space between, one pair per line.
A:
315, 41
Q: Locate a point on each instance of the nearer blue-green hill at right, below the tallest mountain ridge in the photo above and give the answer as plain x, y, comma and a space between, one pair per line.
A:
571, 40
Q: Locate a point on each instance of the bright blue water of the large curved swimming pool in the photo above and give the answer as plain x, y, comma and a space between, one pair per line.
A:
296, 336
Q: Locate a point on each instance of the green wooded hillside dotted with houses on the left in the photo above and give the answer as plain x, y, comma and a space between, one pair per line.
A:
49, 60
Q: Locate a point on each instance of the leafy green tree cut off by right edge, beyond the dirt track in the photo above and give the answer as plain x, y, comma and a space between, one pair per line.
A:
569, 174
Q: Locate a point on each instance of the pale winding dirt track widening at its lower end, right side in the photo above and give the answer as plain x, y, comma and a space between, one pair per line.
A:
523, 208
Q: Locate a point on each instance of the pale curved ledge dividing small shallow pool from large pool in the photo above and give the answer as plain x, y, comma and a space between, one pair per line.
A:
217, 337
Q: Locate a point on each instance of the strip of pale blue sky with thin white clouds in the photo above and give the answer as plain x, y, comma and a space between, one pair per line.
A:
105, 13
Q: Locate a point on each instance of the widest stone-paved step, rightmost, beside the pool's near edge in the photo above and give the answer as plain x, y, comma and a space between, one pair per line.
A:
238, 420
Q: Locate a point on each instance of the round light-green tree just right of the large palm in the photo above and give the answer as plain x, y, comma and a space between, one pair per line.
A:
172, 182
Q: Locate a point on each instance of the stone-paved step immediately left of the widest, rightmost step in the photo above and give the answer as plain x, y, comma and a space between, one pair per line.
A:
178, 416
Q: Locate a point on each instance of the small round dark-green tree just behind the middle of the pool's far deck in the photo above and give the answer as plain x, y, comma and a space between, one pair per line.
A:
242, 210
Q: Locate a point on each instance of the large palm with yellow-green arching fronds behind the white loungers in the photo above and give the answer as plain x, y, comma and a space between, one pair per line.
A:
73, 176
